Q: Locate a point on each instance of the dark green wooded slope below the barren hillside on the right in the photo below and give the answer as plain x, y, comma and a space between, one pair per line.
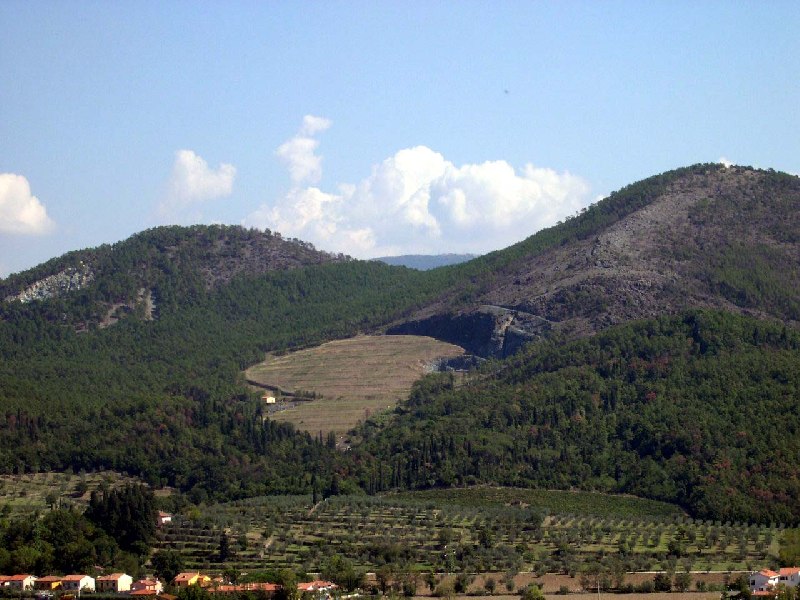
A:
698, 409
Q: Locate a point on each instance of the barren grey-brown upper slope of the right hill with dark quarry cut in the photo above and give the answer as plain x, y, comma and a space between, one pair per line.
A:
703, 236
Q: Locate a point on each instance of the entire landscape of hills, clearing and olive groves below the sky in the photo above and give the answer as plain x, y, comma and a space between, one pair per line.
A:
631, 411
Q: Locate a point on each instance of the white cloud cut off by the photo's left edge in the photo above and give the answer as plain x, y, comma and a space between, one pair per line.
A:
20, 211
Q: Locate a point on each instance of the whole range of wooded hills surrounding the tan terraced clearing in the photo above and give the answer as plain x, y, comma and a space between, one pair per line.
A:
676, 407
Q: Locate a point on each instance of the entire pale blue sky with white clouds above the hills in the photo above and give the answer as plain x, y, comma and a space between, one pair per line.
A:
373, 128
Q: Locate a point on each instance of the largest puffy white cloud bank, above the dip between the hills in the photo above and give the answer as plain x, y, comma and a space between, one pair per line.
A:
417, 201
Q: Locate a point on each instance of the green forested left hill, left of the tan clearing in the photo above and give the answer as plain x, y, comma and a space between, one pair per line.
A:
161, 396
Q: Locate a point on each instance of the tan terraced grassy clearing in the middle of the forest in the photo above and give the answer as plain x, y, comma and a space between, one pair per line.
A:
357, 378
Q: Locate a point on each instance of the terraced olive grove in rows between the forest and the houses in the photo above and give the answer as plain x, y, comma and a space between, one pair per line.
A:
420, 532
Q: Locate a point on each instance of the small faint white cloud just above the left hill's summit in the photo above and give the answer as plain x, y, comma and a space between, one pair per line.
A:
193, 182
